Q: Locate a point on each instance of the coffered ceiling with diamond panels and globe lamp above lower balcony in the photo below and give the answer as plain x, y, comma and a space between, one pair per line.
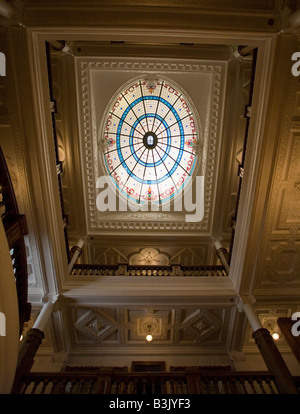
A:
128, 327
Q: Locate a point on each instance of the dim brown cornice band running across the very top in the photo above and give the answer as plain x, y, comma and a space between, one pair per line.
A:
186, 15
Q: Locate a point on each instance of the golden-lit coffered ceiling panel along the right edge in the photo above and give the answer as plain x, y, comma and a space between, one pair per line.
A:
279, 258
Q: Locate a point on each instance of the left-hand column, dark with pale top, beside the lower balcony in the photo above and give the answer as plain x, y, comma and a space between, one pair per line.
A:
32, 341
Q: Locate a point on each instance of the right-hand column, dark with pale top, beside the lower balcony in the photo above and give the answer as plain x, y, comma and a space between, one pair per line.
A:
269, 350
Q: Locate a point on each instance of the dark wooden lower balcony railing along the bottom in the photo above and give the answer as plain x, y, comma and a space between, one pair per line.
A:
150, 383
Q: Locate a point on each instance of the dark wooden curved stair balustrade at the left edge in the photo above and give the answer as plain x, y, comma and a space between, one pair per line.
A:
15, 228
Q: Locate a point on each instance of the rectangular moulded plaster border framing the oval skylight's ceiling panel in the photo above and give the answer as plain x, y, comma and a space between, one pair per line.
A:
156, 221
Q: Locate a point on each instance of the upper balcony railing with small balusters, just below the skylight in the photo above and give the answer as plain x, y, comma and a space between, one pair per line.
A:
158, 271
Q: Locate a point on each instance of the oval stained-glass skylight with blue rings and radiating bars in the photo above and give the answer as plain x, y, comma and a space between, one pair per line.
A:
149, 135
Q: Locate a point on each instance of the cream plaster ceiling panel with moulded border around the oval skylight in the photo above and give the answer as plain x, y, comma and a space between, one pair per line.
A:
91, 109
